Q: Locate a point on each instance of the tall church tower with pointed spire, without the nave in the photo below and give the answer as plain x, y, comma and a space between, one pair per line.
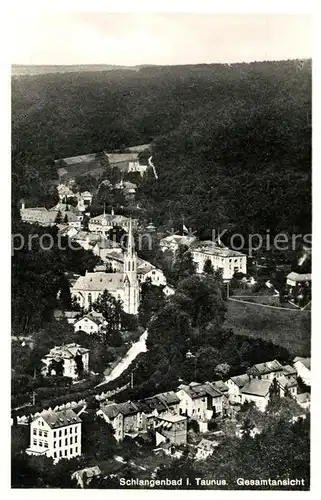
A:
131, 284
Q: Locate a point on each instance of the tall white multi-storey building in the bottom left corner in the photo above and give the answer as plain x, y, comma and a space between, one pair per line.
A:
56, 434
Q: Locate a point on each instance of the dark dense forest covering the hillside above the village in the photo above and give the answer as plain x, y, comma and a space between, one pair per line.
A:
231, 143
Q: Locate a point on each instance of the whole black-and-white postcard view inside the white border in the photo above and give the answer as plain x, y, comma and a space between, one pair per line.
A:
161, 250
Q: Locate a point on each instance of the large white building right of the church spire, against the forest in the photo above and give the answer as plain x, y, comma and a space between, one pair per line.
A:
222, 258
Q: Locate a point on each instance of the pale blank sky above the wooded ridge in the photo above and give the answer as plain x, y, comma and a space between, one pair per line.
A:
157, 38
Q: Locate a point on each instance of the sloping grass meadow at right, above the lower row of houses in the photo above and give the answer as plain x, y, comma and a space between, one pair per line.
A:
288, 328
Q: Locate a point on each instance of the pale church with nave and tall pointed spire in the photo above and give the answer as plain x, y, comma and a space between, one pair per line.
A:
122, 285
